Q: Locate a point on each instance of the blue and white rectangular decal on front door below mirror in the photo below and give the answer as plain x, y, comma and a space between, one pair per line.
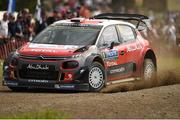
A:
111, 55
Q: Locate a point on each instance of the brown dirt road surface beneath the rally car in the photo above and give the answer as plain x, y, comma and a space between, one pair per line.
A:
159, 102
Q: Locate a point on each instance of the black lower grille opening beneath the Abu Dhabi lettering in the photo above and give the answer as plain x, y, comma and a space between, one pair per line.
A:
50, 74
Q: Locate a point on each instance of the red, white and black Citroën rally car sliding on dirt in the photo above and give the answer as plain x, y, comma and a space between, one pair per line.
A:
83, 54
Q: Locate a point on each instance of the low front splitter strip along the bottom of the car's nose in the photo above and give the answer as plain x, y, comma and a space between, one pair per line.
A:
46, 84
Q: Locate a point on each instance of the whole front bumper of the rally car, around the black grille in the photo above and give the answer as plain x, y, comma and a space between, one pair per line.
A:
15, 76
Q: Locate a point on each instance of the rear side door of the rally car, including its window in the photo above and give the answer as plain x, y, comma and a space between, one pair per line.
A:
132, 48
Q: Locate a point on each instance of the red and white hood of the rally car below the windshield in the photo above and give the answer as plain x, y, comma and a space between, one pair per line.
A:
34, 49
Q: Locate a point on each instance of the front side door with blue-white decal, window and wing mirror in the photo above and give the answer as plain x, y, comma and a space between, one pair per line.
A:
114, 57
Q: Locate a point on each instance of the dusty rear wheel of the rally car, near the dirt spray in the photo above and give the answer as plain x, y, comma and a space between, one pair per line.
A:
149, 73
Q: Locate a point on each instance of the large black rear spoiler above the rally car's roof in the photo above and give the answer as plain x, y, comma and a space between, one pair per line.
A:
118, 16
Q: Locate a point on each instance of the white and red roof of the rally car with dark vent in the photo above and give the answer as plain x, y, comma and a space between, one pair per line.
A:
93, 22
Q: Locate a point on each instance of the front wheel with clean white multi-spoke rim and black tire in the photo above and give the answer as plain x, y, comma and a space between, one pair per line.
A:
96, 77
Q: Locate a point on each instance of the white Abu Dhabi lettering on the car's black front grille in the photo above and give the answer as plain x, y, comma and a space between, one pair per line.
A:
38, 67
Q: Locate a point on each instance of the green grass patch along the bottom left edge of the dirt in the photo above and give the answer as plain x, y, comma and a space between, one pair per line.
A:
46, 114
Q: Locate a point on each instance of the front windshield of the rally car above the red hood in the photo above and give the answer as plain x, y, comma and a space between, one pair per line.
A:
68, 35
